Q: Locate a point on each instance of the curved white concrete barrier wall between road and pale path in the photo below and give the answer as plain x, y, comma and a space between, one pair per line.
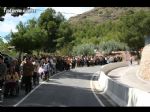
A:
119, 93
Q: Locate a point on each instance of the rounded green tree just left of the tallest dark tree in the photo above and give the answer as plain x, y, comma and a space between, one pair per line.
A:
29, 34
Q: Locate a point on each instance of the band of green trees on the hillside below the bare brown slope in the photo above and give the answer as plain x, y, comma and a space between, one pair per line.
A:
130, 28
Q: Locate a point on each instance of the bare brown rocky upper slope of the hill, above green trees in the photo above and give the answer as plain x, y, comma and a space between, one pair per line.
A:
101, 14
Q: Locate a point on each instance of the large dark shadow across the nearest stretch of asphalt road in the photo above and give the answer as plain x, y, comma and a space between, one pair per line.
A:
52, 95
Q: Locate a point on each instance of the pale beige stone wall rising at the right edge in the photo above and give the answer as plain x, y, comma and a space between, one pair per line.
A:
144, 69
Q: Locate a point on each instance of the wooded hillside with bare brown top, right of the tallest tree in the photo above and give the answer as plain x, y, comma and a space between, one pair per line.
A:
127, 26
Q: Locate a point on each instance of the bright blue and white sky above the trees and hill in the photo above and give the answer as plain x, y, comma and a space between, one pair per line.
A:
10, 22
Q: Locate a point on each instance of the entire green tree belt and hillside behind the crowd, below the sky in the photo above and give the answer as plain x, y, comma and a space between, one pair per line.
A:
103, 28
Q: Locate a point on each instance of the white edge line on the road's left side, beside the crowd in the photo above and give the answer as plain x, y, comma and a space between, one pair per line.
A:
33, 91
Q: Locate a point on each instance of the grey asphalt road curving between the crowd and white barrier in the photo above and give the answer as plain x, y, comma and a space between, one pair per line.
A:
69, 88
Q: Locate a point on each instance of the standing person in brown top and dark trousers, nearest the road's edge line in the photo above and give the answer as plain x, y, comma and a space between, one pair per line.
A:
28, 70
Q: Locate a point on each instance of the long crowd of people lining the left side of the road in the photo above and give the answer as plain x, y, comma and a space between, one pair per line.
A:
34, 68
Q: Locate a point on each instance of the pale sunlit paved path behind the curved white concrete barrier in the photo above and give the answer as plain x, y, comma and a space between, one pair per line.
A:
128, 76
